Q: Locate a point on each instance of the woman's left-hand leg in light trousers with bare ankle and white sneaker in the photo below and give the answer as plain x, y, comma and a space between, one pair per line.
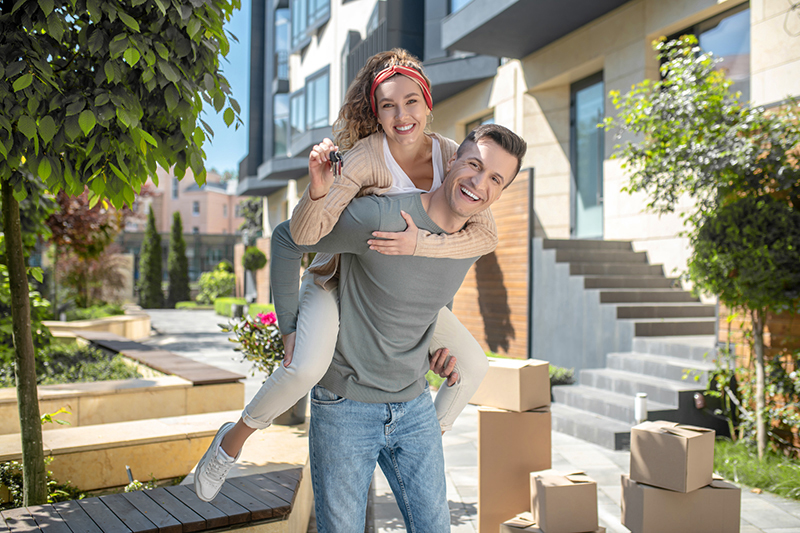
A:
317, 330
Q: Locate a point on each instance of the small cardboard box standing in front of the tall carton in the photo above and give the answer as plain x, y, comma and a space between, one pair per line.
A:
563, 503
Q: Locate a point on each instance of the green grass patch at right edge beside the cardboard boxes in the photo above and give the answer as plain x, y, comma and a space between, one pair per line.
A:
775, 473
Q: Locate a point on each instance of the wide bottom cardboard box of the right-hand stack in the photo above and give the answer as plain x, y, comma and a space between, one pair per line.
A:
714, 508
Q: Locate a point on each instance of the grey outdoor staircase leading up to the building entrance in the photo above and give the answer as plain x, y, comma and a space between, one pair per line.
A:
672, 333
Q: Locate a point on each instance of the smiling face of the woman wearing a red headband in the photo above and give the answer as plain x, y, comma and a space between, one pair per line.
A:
401, 110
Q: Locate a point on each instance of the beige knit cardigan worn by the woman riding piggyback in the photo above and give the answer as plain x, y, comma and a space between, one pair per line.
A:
364, 172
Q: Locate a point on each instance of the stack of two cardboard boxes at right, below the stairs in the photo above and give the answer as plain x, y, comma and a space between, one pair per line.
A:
671, 485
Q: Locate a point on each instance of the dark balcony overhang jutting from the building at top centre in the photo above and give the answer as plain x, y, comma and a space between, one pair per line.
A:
517, 28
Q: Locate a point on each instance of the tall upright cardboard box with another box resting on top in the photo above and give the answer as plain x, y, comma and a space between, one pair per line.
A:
510, 446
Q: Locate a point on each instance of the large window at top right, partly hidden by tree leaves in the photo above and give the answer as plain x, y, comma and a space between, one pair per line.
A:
727, 36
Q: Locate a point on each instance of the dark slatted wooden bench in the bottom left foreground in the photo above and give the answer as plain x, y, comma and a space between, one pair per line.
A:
259, 502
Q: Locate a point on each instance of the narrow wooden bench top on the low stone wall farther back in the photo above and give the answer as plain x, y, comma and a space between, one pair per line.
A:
162, 360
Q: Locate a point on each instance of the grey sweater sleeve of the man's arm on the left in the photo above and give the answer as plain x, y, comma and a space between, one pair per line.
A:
349, 235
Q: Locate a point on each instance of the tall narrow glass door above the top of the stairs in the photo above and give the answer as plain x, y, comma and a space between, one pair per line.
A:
587, 108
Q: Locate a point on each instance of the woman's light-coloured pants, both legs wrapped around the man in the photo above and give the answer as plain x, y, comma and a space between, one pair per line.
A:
317, 330
